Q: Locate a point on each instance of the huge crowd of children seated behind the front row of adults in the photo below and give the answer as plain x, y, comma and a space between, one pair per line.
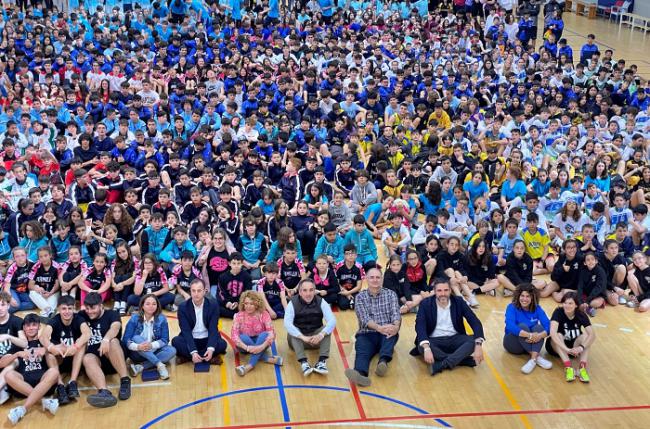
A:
146, 147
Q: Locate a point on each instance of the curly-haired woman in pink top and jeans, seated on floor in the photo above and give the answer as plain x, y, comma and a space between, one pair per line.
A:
252, 331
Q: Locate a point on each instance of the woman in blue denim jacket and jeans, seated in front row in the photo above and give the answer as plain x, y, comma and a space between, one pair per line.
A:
147, 338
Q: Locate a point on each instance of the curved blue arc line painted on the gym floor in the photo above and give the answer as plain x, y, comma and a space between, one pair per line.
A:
289, 386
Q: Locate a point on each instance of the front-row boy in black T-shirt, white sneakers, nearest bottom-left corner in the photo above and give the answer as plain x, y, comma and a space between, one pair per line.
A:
35, 374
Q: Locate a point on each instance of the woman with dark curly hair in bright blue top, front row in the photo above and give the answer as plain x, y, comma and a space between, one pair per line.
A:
526, 327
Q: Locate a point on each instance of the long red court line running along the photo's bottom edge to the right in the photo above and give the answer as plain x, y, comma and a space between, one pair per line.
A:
443, 416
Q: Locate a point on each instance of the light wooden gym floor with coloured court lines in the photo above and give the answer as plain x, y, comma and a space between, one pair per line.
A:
495, 394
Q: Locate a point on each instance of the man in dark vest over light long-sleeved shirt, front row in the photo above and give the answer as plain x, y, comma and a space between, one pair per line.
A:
303, 320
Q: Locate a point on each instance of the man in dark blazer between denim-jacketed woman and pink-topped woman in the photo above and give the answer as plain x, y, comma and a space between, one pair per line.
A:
199, 339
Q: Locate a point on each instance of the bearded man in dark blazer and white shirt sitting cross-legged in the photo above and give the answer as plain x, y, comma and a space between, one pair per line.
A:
440, 331
